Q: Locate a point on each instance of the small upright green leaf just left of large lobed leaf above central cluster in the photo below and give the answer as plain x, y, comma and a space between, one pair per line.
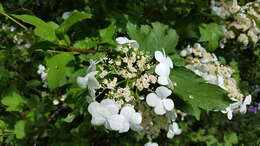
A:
107, 34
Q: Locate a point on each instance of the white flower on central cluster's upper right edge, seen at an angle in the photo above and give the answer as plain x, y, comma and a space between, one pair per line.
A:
163, 68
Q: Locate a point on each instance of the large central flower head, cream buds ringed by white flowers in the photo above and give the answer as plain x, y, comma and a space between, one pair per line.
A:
122, 81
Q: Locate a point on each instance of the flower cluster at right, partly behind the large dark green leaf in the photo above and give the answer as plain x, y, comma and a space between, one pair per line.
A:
208, 67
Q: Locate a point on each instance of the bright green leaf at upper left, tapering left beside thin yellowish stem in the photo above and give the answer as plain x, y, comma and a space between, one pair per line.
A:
44, 30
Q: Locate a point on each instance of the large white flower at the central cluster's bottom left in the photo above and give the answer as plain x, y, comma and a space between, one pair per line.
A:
103, 111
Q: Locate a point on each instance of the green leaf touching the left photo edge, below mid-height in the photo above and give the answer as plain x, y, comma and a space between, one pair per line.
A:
14, 101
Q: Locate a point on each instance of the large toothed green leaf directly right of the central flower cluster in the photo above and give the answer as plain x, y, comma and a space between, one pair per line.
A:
195, 91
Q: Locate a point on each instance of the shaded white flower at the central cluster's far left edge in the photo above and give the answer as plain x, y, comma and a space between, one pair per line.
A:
89, 81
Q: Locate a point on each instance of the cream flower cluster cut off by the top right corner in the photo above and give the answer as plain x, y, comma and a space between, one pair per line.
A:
243, 26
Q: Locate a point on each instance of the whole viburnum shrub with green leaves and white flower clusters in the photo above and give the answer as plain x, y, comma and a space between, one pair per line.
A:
66, 80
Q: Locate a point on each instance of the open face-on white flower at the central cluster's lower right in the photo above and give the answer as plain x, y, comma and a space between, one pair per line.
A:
159, 100
